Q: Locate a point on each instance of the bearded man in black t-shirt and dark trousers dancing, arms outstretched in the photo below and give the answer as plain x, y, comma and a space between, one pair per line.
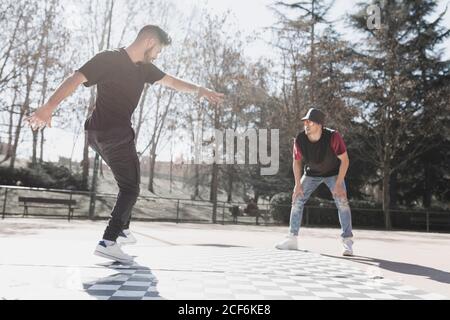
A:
120, 76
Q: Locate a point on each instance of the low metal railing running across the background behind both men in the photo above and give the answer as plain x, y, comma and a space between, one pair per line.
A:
177, 210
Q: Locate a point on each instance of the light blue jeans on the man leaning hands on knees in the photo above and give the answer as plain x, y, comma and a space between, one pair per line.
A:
310, 184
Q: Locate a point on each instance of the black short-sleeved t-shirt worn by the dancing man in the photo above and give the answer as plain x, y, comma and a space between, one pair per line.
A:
120, 83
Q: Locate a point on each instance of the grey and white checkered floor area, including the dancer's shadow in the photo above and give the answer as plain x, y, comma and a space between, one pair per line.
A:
217, 273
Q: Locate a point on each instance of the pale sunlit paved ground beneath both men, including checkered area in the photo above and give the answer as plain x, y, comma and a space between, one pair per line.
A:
52, 259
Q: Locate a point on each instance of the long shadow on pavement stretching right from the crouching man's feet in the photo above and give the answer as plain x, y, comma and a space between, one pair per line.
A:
400, 267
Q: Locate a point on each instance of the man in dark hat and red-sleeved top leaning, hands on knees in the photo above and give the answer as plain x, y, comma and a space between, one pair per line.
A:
323, 155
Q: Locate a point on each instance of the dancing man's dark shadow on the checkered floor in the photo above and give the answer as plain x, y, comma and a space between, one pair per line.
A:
131, 282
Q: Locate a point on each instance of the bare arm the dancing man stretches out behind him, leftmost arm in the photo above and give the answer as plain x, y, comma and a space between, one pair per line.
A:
43, 115
